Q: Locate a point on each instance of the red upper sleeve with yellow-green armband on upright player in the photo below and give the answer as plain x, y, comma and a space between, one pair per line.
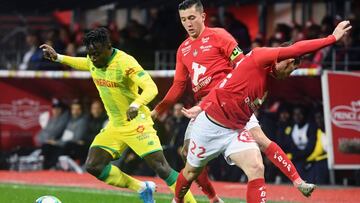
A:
229, 46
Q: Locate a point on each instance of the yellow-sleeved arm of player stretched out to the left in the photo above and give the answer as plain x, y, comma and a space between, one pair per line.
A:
80, 63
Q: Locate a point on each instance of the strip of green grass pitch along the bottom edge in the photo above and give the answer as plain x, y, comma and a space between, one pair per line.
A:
20, 193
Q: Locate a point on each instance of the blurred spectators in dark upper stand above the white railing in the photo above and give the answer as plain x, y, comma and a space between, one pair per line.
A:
164, 32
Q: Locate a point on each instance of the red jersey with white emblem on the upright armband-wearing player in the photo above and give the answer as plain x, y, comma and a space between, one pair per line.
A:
206, 60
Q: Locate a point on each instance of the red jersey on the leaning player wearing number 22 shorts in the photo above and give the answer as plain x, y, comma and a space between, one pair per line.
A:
243, 90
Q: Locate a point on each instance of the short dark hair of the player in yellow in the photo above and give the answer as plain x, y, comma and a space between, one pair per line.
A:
99, 35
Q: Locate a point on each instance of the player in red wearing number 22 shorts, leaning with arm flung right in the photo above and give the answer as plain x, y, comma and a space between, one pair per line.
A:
222, 116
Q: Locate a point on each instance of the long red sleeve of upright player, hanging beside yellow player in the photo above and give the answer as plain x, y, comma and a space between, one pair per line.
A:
177, 88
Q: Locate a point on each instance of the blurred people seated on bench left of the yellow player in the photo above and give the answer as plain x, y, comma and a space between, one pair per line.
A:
66, 134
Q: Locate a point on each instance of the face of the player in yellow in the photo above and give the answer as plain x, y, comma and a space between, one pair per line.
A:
99, 54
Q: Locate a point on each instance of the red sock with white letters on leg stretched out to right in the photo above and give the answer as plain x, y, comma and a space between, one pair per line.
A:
278, 157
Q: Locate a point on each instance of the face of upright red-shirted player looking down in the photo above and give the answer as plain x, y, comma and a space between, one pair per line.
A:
193, 21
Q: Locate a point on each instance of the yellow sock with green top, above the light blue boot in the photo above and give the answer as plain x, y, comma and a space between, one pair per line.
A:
112, 175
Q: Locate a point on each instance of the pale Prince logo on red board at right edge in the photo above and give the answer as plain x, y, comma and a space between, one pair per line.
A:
347, 116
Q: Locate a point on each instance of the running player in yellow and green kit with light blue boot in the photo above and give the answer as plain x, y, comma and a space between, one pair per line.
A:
117, 77
